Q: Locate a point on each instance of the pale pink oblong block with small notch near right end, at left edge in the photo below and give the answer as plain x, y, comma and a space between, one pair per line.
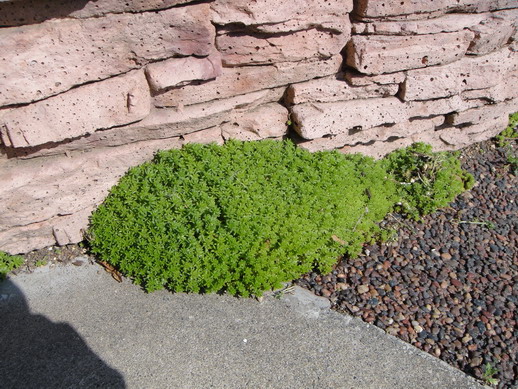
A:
104, 104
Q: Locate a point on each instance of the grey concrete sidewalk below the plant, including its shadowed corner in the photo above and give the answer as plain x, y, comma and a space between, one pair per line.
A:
75, 327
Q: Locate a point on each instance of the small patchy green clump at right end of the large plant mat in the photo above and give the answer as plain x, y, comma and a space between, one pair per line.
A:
427, 181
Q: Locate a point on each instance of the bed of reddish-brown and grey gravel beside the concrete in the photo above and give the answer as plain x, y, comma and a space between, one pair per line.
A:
449, 283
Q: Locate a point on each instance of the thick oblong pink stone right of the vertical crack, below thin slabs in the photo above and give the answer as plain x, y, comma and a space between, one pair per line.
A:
379, 54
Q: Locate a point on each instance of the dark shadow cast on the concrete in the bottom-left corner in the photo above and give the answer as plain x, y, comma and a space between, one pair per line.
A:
37, 353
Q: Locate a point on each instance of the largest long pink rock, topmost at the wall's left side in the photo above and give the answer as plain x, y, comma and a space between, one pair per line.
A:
47, 59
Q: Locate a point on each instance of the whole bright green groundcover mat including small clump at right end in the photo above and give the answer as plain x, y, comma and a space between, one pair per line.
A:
244, 217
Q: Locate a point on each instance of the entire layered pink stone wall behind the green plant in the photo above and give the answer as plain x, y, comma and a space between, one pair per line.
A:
90, 88
